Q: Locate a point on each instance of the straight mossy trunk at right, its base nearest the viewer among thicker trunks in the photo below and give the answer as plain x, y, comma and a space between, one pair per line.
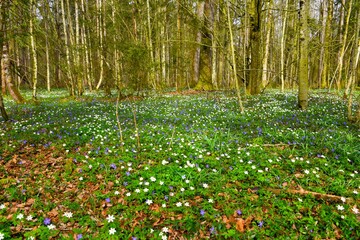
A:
303, 76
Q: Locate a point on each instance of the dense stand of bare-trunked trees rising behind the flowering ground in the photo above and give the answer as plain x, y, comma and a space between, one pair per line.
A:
158, 44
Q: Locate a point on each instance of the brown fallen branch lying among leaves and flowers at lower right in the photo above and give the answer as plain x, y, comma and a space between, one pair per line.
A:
317, 195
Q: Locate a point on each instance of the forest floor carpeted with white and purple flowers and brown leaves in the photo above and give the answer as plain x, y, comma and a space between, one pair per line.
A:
191, 166
